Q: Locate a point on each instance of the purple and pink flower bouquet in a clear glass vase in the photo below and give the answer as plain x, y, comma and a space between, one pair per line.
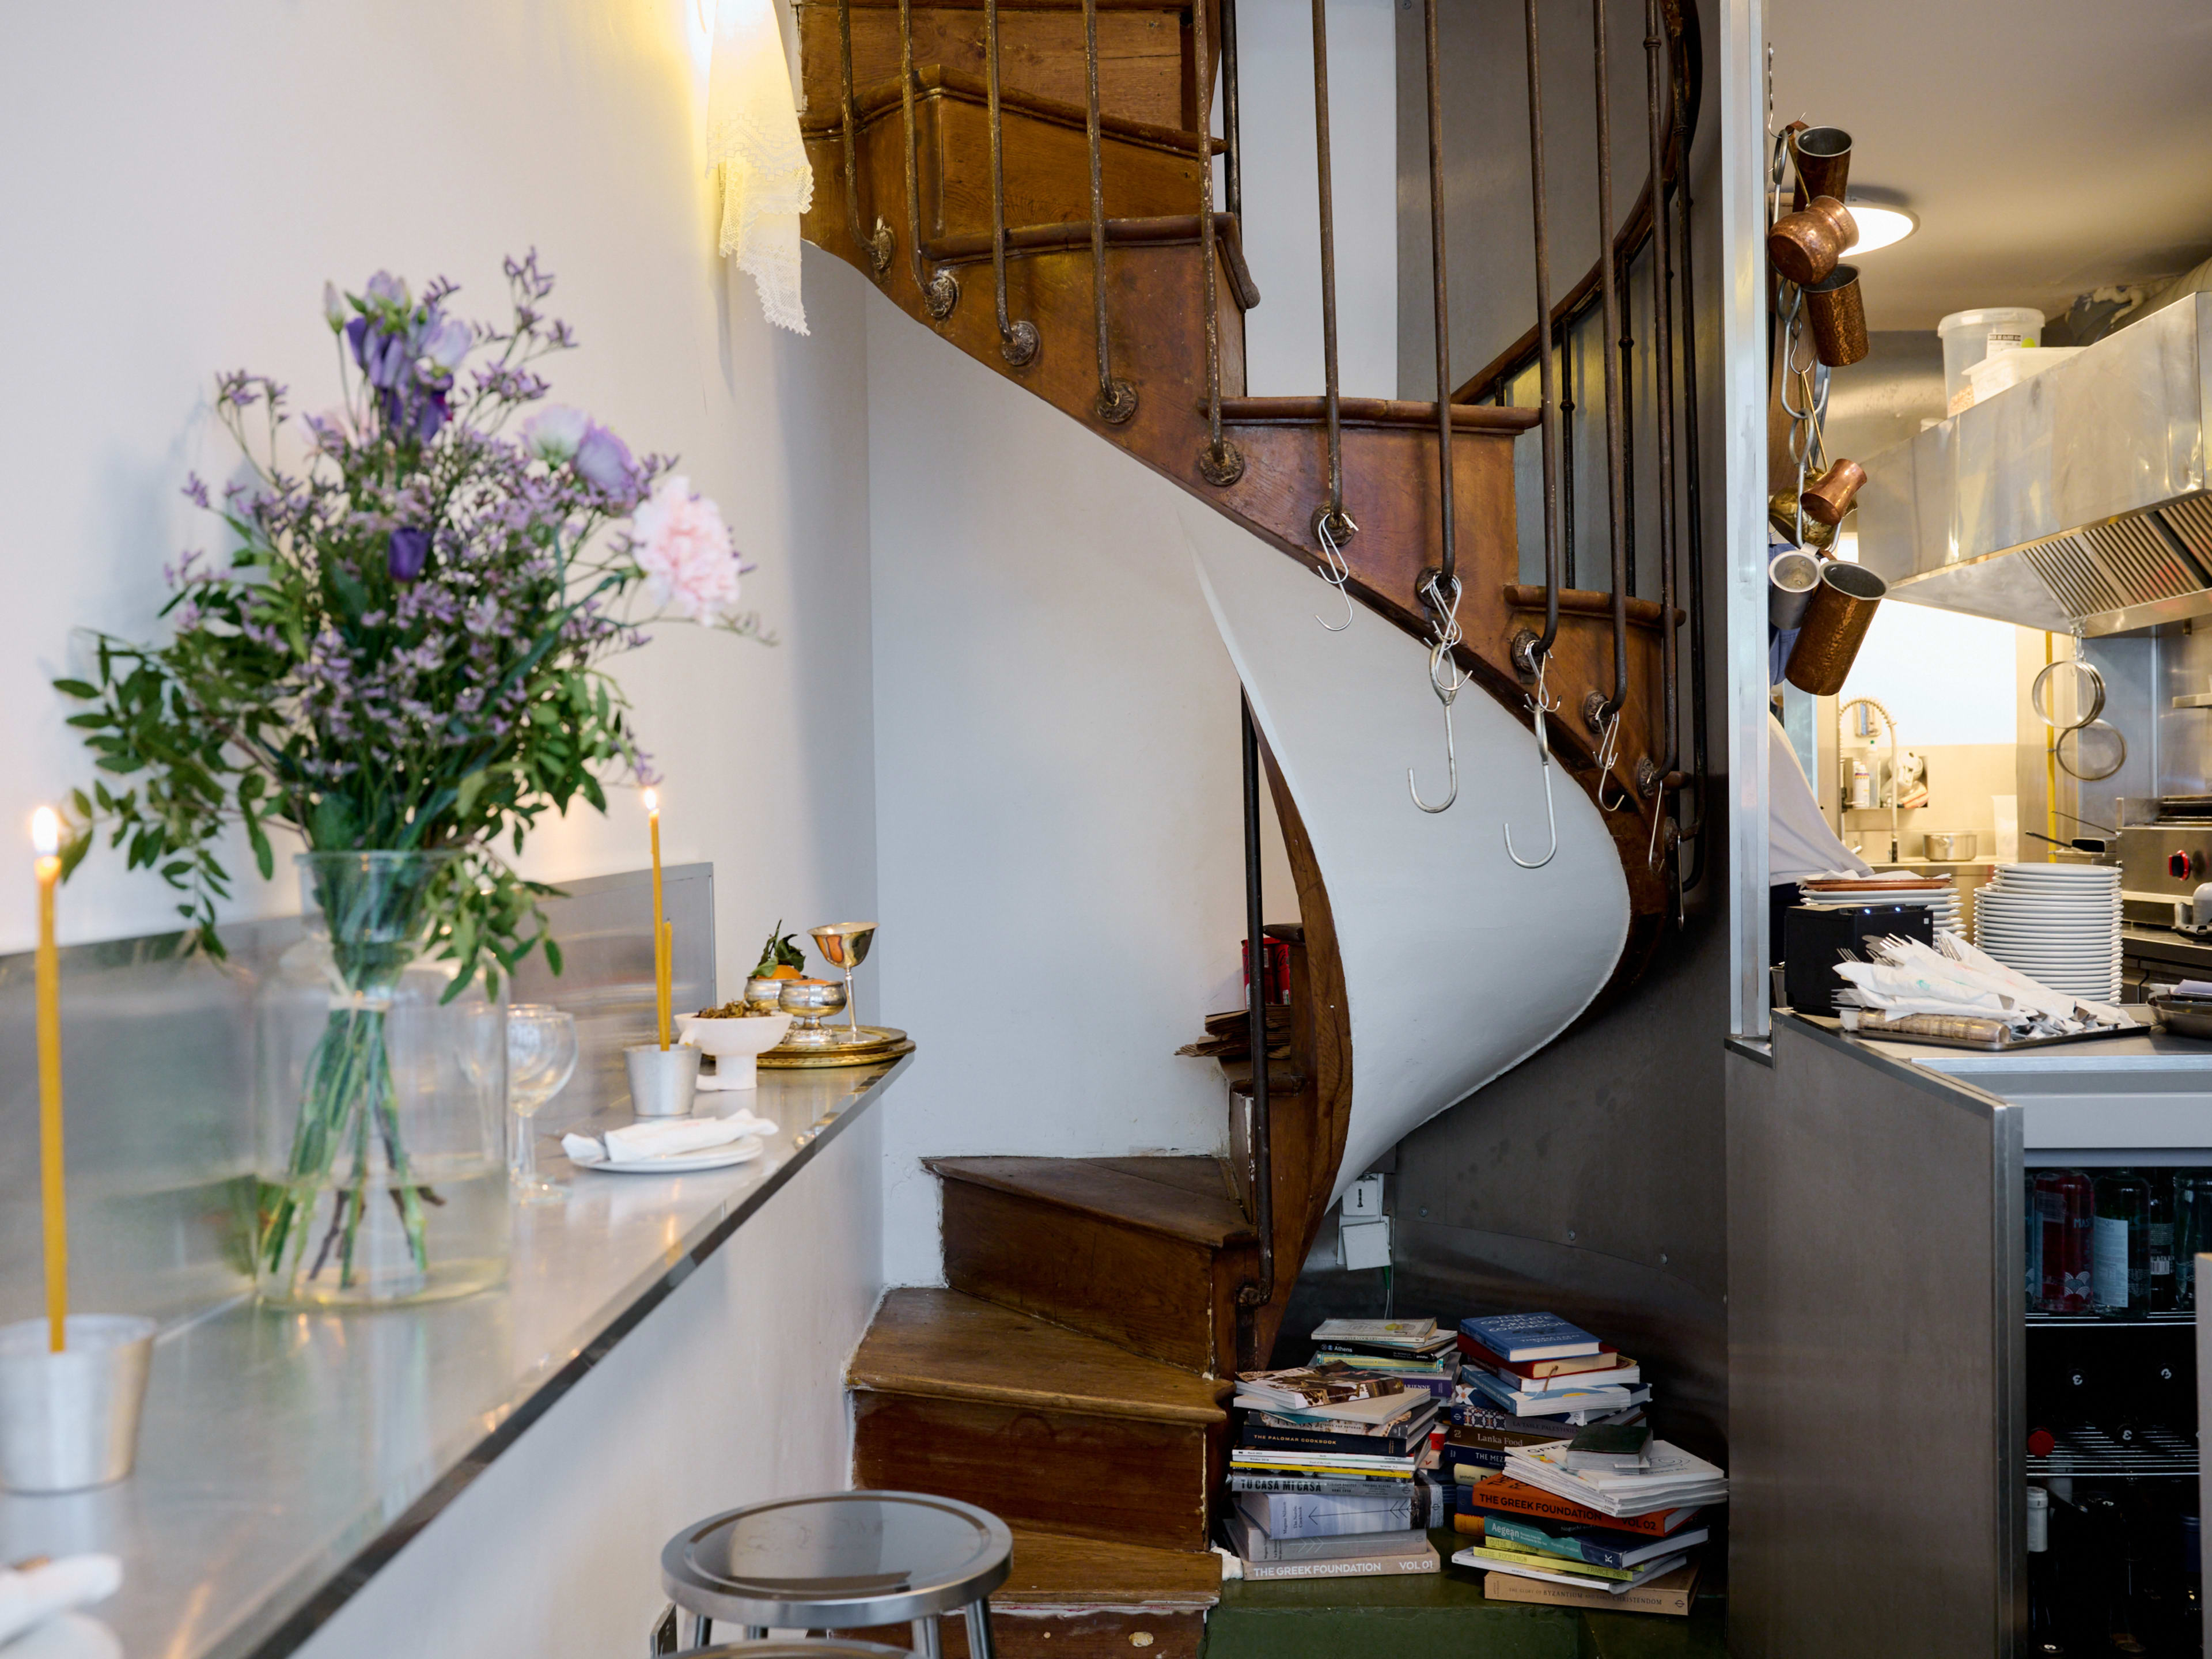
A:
404, 662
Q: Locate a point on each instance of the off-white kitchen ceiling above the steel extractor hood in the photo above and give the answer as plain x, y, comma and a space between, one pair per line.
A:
2047, 145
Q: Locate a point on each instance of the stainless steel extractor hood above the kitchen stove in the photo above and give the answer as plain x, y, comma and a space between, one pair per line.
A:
2069, 501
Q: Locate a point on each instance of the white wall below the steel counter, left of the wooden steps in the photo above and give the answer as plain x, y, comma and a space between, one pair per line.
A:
554, 1552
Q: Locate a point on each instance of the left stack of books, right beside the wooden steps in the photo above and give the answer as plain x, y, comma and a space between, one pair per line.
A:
1324, 1474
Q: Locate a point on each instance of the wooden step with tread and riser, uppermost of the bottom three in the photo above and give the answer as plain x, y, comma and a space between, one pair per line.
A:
1105, 1249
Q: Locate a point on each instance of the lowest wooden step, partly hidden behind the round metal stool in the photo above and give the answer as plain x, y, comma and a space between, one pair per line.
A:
1081, 1598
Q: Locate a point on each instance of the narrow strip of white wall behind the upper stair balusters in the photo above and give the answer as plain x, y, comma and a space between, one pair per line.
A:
1282, 211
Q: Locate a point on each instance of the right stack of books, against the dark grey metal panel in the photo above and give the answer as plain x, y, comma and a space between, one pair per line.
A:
1583, 1505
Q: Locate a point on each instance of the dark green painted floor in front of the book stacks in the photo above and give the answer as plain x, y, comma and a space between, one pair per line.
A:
1441, 1618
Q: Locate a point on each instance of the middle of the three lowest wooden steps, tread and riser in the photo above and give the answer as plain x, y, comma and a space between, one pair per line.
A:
1041, 1426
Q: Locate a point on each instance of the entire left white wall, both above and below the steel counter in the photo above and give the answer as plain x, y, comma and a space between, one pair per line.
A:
182, 182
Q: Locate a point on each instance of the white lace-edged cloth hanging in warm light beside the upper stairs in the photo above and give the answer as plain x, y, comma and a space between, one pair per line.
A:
753, 140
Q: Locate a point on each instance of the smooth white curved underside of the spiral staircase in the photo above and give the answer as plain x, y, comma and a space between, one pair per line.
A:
1457, 963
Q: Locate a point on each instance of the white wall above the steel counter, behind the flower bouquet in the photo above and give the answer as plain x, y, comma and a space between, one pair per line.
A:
189, 176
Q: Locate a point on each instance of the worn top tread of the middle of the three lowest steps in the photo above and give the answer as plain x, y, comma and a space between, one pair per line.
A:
950, 1346
